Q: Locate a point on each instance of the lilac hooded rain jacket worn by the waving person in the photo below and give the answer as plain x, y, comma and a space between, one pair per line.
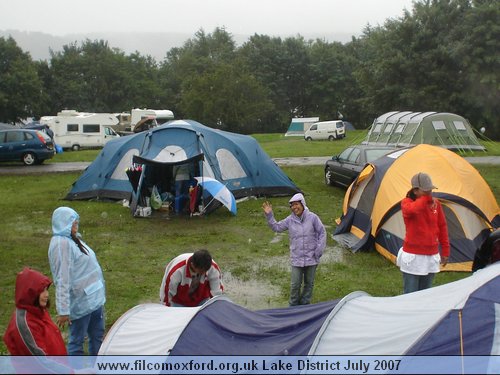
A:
306, 233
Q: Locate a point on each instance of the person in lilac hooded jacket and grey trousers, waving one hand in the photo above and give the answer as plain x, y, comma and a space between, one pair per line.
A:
307, 236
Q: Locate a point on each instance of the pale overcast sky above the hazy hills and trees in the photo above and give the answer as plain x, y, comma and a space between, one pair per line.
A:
270, 17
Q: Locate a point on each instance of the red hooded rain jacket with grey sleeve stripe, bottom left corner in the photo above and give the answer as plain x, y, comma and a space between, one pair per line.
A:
31, 331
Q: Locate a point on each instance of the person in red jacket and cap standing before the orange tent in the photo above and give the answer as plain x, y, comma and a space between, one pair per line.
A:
426, 245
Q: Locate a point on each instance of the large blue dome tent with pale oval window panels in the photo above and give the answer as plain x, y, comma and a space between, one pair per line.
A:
236, 160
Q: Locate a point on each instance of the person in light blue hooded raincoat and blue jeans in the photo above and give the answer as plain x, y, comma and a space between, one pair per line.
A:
79, 282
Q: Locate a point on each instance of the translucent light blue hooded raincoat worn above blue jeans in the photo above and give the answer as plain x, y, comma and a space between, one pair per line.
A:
78, 277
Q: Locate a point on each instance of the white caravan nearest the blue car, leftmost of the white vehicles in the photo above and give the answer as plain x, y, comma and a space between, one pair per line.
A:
75, 130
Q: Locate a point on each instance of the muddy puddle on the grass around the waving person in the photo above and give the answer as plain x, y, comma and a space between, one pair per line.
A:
257, 294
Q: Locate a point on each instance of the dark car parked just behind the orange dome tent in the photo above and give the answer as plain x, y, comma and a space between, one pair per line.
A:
344, 168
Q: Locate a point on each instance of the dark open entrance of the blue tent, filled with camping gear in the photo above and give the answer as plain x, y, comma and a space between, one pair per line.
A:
166, 187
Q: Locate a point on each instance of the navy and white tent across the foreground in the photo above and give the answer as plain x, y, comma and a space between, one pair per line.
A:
426, 322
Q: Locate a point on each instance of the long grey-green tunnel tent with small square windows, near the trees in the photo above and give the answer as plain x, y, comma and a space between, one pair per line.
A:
403, 129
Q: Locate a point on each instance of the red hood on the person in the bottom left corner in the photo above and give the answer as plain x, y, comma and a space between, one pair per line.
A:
29, 285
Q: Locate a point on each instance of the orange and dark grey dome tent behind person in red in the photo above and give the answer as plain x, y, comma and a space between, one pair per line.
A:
372, 204
